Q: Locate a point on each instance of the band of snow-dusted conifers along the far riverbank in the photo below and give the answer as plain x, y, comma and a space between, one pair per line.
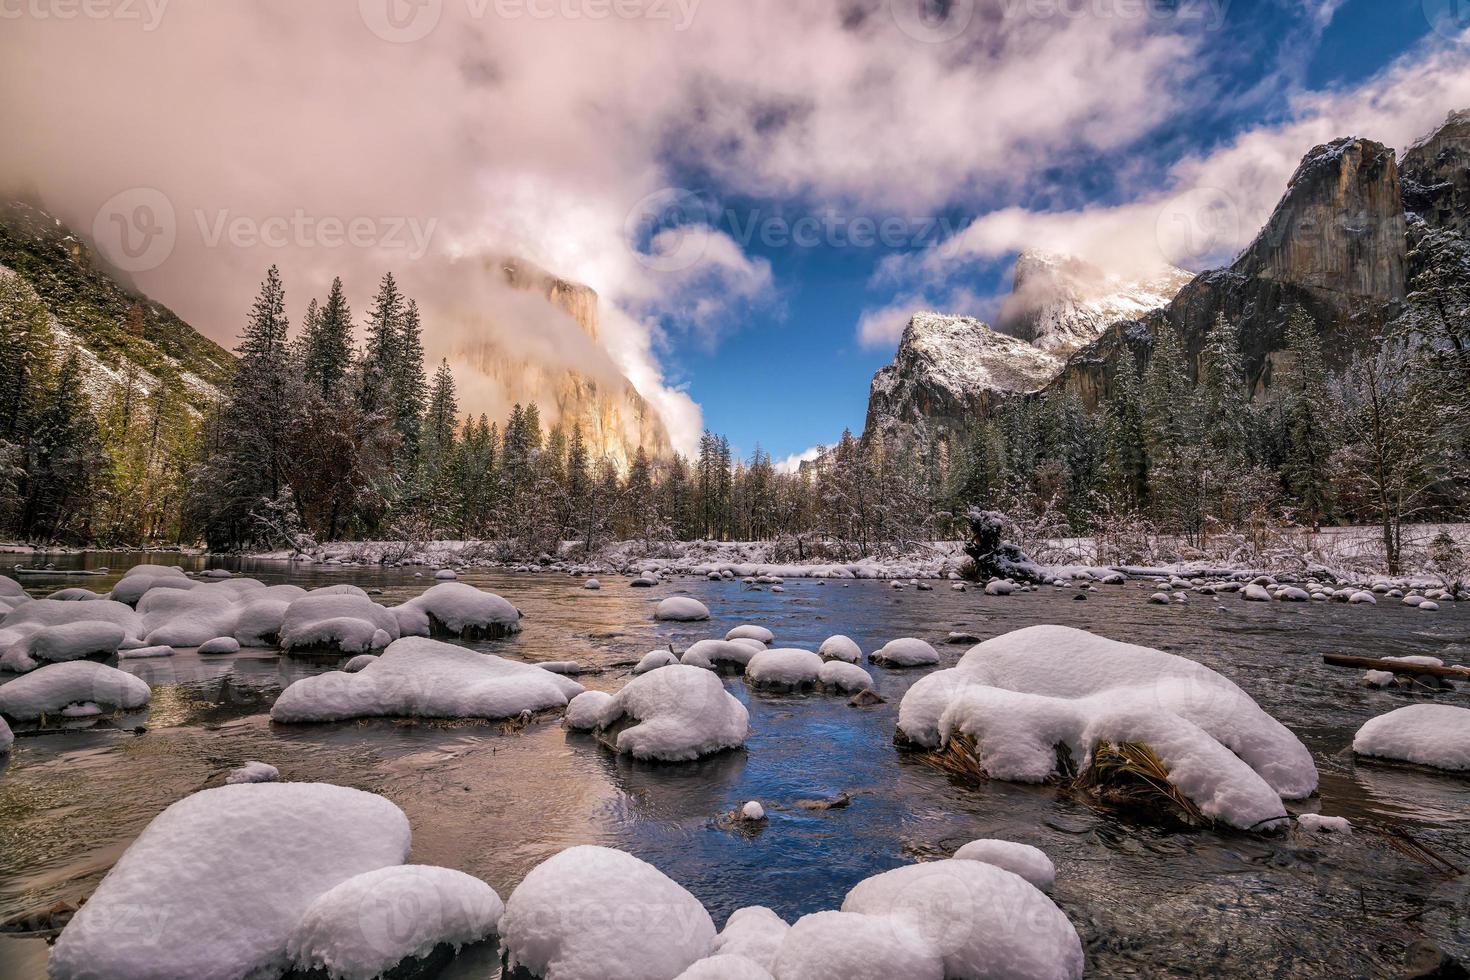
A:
321, 439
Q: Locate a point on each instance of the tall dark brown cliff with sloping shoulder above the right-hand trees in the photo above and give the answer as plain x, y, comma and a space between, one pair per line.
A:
1335, 246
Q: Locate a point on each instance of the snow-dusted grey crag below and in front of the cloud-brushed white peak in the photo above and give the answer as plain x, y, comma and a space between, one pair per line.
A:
949, 372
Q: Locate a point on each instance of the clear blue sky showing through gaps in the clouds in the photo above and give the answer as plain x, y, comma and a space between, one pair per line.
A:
789, 372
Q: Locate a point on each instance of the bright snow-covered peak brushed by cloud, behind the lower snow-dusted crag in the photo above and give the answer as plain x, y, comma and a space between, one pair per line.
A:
1062, 303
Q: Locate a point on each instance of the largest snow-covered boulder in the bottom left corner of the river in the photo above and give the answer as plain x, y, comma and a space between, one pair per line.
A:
221, 881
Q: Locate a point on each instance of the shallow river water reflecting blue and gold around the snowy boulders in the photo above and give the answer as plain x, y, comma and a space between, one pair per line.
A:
1146, 901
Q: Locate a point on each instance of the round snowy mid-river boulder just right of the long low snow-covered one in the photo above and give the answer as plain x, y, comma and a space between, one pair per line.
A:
678, 713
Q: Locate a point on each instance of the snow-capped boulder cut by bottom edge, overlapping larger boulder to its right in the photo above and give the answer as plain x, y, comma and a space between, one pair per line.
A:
858, 947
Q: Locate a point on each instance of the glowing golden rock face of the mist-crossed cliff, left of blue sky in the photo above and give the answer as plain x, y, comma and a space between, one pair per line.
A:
615, 419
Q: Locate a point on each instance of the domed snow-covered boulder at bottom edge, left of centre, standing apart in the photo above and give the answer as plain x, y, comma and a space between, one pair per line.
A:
636, 923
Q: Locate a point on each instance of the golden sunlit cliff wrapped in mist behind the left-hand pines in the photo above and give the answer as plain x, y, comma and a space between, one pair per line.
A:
587, 392
